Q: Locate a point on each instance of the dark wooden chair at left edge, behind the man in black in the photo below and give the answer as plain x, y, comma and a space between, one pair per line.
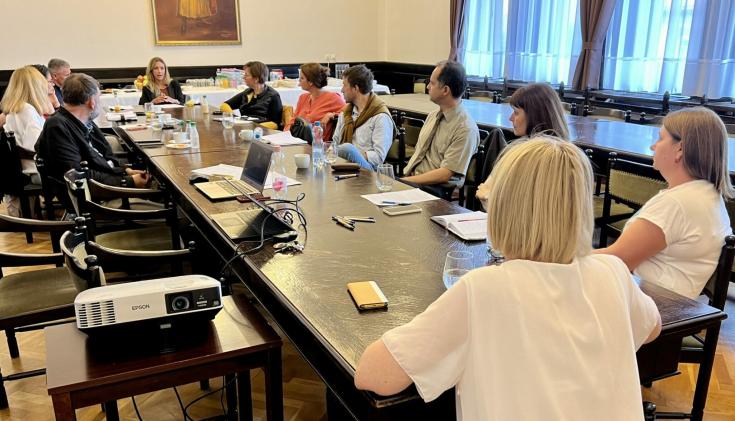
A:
12, 179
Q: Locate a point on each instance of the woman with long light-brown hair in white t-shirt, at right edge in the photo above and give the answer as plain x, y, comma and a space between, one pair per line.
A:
676, 238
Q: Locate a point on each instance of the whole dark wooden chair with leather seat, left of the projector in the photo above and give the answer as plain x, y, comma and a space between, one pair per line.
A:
33, 299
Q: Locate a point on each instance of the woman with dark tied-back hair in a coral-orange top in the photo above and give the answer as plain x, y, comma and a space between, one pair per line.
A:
316, 104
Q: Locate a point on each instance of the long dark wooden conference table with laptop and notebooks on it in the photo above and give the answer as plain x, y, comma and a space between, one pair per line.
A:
306, 294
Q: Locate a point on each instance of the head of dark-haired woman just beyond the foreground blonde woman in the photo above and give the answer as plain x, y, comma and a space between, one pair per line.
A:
537, 109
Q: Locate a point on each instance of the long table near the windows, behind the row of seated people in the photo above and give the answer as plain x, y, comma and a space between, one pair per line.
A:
628, 140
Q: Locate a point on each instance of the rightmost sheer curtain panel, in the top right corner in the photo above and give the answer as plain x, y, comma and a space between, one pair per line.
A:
710, 61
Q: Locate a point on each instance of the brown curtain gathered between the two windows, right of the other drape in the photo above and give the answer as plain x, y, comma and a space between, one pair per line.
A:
595, 16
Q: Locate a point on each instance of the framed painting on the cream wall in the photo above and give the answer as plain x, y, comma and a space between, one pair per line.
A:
196, 22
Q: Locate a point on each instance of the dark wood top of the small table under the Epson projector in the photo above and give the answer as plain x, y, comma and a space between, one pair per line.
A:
73, 363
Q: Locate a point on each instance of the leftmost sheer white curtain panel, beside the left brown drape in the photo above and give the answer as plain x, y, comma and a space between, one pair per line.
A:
487, 22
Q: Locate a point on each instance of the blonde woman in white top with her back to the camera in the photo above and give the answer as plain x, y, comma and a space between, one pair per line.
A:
549, 334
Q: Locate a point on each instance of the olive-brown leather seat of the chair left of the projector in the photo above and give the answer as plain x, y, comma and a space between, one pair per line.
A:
49, 288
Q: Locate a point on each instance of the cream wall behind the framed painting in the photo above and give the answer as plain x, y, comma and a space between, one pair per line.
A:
119, 33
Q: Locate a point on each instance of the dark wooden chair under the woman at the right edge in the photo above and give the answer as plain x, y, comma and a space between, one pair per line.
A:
697, 349
